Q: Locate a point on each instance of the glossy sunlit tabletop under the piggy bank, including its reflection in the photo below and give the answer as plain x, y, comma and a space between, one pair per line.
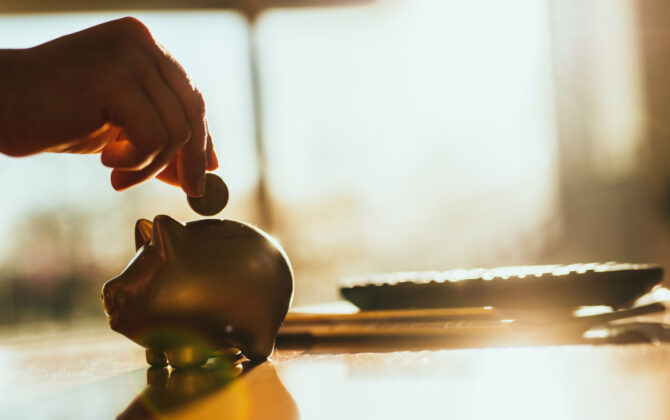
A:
84, 370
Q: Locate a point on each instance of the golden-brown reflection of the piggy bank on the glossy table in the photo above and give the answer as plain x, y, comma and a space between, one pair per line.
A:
213, 391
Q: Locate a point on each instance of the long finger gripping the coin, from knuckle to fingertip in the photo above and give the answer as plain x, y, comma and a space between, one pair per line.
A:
192, 157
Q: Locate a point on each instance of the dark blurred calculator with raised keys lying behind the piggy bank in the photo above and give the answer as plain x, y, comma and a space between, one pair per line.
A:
539, 287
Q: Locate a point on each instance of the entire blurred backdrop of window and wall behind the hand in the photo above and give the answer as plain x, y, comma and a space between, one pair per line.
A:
389, 135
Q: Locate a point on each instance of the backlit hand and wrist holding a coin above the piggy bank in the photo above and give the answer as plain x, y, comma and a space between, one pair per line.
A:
110, 89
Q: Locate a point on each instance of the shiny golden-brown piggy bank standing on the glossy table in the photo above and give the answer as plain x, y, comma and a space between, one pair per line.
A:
192, 290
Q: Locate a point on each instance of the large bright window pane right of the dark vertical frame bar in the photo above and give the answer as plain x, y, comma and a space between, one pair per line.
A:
409, 135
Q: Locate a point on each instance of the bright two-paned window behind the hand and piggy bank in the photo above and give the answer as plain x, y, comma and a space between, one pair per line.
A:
401, 135
